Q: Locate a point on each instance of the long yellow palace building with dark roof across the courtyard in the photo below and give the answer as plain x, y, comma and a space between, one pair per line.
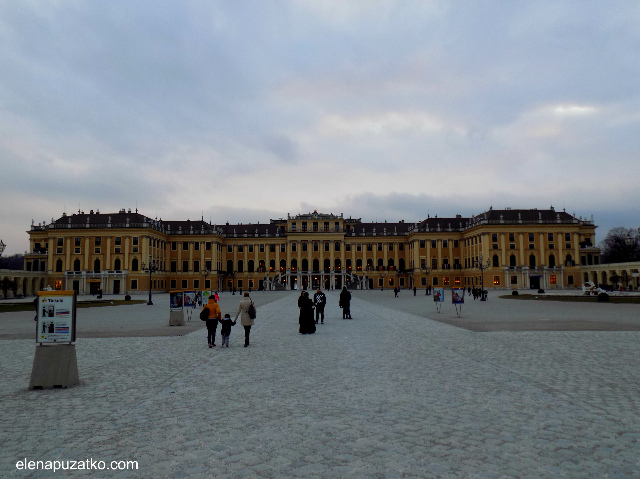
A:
518, 249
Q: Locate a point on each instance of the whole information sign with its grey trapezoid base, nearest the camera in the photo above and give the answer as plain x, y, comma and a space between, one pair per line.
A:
55, 364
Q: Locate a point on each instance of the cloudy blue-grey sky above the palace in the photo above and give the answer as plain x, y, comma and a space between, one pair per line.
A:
244, 111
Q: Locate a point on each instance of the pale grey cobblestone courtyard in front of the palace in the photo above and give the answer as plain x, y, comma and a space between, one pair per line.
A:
391, 393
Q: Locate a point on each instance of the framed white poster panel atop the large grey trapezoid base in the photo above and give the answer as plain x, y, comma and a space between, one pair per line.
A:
56, 321
